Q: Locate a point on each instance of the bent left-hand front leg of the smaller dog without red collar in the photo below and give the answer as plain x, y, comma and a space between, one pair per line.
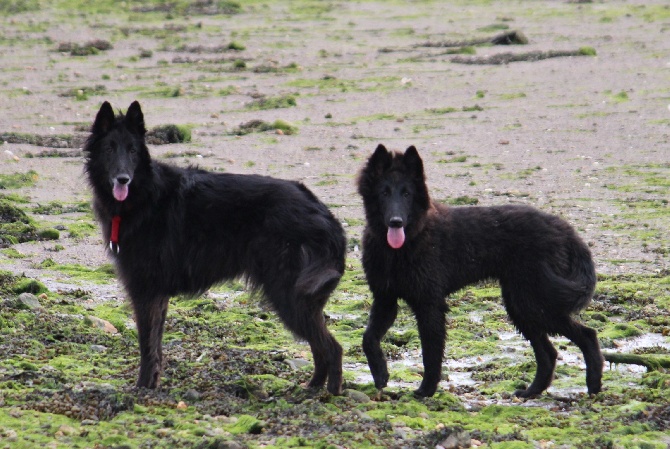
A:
382, 315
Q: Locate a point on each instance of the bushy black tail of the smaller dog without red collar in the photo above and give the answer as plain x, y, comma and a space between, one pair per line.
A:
572, 292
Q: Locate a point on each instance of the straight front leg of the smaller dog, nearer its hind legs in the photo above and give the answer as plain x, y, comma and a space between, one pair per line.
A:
431, 320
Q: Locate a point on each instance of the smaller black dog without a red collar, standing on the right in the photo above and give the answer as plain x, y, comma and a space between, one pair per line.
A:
422, 251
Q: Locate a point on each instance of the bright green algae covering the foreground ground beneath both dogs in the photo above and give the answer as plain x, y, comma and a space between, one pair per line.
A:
209, 325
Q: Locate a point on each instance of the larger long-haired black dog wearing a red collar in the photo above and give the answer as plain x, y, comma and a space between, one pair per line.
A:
178, 231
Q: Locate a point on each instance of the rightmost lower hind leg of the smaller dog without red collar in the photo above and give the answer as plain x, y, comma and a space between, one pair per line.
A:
587, 341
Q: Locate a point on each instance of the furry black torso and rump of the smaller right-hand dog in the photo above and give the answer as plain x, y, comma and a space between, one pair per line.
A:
516, 242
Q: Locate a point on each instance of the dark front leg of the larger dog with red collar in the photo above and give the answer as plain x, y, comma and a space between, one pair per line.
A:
150, 319
